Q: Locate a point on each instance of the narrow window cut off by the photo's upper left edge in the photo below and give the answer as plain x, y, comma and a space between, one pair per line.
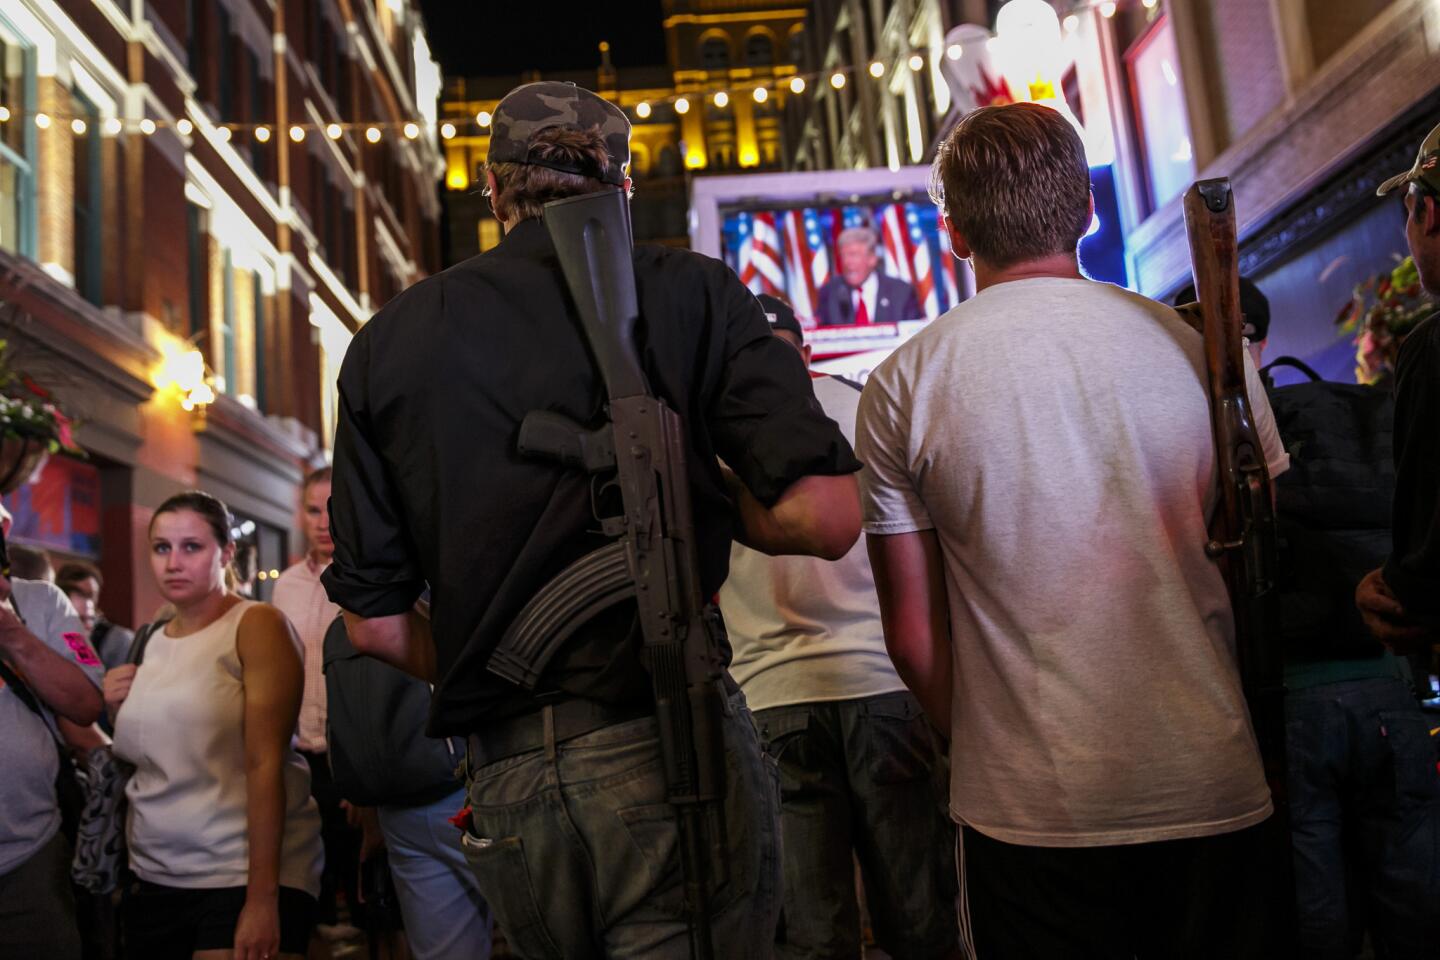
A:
18, 202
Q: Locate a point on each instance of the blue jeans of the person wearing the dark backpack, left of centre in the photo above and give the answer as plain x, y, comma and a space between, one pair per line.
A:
446, 918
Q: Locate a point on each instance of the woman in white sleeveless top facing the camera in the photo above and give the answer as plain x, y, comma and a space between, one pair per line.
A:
224, 836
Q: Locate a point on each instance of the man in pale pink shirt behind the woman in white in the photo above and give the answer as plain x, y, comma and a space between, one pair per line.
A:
300, 597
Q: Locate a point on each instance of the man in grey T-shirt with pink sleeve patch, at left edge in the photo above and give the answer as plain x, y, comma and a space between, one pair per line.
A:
50, 673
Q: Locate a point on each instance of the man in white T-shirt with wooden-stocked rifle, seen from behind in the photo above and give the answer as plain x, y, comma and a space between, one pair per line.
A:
1039, 483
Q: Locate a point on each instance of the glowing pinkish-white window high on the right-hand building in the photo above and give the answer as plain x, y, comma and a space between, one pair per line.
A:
1158, 107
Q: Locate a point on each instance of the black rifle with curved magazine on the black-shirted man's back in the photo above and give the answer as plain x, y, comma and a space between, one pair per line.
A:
653, 559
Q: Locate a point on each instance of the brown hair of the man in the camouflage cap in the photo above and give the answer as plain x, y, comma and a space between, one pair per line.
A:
522, 189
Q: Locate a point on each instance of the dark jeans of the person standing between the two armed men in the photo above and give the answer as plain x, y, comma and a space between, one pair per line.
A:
865, 779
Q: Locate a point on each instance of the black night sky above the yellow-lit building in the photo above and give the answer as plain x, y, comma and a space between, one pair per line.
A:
483, 38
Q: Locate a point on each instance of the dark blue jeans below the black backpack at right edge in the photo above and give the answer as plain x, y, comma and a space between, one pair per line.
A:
1366, 820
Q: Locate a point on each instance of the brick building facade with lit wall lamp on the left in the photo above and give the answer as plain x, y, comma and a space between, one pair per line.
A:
199, 176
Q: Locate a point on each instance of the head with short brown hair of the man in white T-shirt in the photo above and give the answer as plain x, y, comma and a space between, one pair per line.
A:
1014, 182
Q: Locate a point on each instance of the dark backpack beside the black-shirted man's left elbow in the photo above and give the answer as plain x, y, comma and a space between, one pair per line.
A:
379, 753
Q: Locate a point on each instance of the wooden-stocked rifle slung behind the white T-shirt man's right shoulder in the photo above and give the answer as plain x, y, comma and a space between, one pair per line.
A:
1243, 535
